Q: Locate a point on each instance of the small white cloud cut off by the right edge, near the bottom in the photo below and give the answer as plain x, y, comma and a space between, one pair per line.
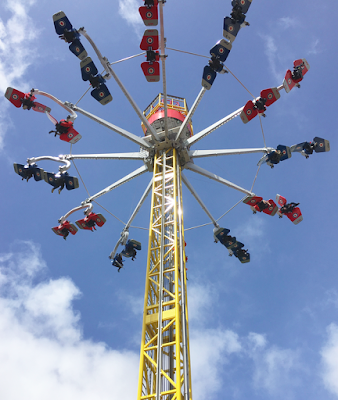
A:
329, 354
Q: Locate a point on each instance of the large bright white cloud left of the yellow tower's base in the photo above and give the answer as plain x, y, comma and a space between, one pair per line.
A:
42, 351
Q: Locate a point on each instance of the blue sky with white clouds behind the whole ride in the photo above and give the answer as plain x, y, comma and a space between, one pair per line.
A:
70, 324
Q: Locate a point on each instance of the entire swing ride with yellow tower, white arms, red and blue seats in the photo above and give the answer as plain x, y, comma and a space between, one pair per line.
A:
166, 149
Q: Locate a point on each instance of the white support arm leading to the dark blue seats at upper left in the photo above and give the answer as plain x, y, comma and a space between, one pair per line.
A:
106, 65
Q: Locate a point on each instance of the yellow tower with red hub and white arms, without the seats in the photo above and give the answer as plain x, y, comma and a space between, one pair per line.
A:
165, 150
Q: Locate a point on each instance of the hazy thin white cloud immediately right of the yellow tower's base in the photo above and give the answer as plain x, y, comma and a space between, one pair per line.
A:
216, 352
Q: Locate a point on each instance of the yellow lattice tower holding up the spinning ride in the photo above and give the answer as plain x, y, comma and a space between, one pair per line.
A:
164, 359
